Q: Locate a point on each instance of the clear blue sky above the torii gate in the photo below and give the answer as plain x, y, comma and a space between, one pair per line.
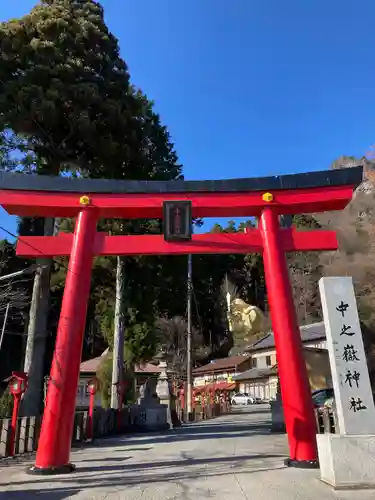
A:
250, 87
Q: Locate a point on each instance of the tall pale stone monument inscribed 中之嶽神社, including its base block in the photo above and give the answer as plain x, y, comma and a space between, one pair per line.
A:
347, 459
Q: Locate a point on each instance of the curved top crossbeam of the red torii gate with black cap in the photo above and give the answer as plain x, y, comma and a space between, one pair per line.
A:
29, 195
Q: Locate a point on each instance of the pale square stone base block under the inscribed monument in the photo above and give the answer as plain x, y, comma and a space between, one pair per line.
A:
347, 461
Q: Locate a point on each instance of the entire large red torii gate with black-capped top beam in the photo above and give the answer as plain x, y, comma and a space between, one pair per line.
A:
90, 200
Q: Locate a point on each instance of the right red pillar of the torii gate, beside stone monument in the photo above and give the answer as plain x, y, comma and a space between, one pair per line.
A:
294, 383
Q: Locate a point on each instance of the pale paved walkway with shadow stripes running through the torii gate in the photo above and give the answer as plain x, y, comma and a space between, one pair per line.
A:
230, 458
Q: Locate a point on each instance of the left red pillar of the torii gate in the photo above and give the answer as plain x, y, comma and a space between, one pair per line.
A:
58, 418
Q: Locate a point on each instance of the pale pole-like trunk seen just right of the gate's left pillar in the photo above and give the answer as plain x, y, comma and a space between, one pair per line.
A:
118, 340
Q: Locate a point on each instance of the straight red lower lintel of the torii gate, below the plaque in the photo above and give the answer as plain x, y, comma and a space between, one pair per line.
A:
210, 243
